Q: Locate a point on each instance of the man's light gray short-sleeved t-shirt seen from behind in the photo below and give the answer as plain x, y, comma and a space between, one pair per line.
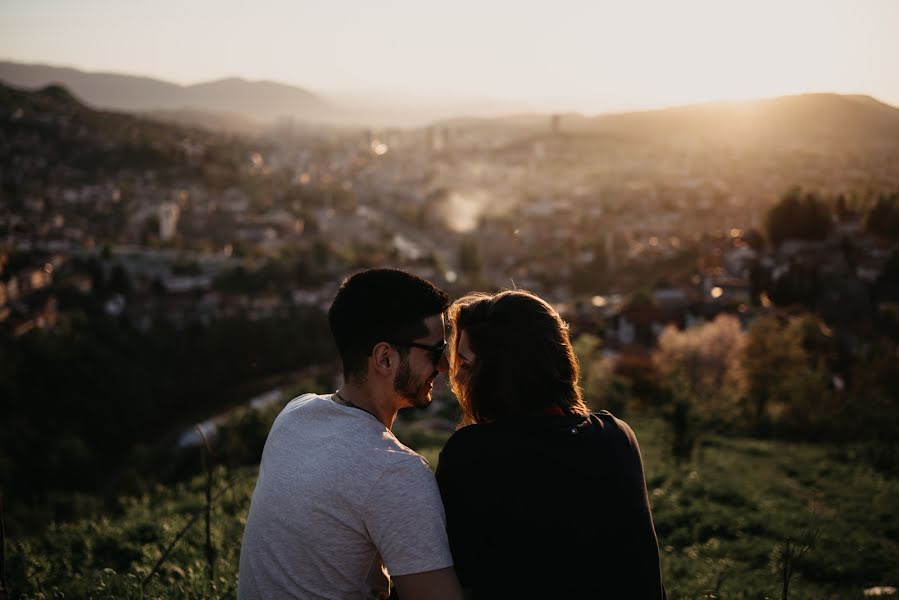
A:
338, 499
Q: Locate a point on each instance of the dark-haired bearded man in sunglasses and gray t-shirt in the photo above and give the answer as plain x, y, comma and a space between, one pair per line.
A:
340, 502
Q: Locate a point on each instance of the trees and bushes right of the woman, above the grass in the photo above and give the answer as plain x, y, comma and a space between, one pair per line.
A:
785, 377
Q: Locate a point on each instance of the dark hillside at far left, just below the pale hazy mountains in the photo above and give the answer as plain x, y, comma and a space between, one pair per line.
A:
55, 138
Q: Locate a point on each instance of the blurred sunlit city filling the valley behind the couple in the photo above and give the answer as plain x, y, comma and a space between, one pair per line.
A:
158, 222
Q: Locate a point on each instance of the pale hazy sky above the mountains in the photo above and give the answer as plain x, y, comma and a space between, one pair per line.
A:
590, 55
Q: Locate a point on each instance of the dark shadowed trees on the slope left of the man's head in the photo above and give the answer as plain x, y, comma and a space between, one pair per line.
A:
85, 404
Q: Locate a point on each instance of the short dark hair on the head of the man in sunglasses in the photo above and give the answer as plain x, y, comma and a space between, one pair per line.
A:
380, 305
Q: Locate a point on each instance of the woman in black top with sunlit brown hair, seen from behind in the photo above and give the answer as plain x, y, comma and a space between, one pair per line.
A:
543, 499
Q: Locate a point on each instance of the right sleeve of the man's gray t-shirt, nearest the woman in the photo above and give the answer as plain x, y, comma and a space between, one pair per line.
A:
405, 518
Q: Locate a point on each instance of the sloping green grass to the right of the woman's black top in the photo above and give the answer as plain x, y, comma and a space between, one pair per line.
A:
724, 520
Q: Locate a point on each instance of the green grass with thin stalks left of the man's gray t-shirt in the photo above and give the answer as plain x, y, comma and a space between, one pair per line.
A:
110, 557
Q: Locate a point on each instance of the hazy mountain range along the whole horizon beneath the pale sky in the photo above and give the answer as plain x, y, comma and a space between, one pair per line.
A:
240, 105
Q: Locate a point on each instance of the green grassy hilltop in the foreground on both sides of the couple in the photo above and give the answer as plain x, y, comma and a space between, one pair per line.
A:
723, 522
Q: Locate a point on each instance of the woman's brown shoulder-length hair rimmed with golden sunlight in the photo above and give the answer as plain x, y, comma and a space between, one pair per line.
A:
524, 363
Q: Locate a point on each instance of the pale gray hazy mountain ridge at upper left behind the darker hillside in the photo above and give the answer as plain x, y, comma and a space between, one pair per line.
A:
257, 100
